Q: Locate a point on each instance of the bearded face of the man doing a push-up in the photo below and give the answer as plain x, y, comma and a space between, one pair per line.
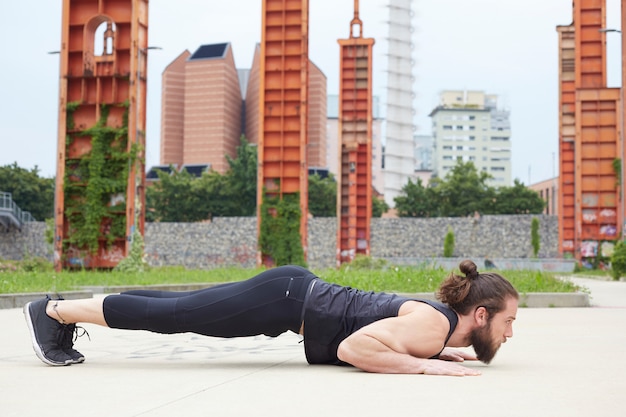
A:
487, 339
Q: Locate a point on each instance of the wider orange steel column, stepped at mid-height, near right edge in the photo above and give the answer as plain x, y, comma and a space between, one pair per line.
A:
596, 124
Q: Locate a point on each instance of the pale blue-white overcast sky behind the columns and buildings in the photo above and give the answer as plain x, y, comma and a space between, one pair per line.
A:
509, 50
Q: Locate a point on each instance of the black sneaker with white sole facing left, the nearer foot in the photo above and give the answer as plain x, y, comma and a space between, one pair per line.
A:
46, 334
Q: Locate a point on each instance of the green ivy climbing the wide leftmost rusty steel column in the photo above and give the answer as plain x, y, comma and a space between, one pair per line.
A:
93, 181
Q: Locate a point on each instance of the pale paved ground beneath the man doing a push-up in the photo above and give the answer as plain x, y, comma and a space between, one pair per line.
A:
561, 362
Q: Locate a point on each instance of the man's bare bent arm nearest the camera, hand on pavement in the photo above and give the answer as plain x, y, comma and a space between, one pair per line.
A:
401, 345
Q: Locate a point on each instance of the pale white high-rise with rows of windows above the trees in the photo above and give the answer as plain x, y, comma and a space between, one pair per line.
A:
469, 126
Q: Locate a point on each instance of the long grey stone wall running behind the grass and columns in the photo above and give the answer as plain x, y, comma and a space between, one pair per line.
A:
232, 240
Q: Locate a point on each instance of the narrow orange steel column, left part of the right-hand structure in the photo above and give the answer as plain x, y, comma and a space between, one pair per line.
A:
567, 138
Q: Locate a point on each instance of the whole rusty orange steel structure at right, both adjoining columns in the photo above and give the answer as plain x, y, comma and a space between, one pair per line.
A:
591, 152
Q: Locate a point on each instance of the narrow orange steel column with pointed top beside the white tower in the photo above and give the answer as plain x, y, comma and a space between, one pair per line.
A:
354, 188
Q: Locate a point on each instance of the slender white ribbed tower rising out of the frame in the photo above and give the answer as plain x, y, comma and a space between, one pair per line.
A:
399, 164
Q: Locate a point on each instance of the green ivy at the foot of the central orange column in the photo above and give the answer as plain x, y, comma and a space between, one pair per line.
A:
280, 237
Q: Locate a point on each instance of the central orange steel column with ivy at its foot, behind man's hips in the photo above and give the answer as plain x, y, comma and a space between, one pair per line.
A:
283, 107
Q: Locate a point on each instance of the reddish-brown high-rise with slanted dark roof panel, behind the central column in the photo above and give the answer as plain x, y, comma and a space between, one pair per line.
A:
207, 103
